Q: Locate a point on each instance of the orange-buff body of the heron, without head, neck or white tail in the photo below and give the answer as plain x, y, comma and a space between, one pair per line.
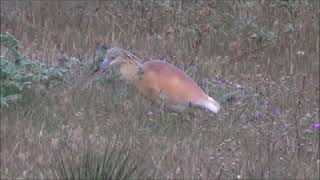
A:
169, 85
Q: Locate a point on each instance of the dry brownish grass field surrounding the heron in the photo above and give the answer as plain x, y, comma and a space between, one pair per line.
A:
259, 59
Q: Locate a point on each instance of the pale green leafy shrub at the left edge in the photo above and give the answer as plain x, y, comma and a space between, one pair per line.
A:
18, 73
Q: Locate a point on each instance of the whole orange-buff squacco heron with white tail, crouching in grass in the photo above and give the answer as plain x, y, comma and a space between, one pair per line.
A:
161, 81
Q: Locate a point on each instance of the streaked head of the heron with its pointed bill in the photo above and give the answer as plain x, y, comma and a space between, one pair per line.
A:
116, 56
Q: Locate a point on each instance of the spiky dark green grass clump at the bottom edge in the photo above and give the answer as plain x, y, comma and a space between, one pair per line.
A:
112, 164
